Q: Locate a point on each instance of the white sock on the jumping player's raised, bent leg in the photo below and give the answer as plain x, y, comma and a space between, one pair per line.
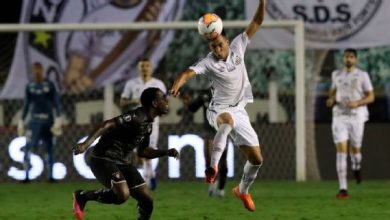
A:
219, 144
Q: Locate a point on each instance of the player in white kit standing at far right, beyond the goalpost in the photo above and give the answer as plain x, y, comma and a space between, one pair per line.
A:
350, 93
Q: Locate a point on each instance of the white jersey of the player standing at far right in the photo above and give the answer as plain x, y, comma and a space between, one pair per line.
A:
350, 87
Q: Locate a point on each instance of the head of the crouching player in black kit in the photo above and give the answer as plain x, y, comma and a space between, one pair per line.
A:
156, 99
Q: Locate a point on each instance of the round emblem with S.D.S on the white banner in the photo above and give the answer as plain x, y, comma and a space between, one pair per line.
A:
326, 21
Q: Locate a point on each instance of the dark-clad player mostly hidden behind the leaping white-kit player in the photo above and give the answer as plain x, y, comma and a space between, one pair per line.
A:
202, 101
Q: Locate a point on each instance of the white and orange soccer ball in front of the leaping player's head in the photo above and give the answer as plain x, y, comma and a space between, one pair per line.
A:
210, 25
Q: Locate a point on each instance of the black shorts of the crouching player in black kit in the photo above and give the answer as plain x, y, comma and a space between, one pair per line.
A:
108, 173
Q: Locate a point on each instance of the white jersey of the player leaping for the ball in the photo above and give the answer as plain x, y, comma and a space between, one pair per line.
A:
230, 83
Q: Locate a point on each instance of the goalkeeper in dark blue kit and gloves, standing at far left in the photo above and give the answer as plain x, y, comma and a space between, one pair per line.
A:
41, 98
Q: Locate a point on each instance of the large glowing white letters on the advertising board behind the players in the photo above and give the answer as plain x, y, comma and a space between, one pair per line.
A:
60, 171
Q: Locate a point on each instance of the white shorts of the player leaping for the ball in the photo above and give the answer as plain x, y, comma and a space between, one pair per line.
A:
243, 132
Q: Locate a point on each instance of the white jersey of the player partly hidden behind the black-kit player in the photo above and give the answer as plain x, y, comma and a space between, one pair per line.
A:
134, 87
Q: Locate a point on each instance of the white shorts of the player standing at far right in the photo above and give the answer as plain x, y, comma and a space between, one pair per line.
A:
344, 129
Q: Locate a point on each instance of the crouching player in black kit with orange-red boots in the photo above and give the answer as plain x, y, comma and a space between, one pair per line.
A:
110, 159
